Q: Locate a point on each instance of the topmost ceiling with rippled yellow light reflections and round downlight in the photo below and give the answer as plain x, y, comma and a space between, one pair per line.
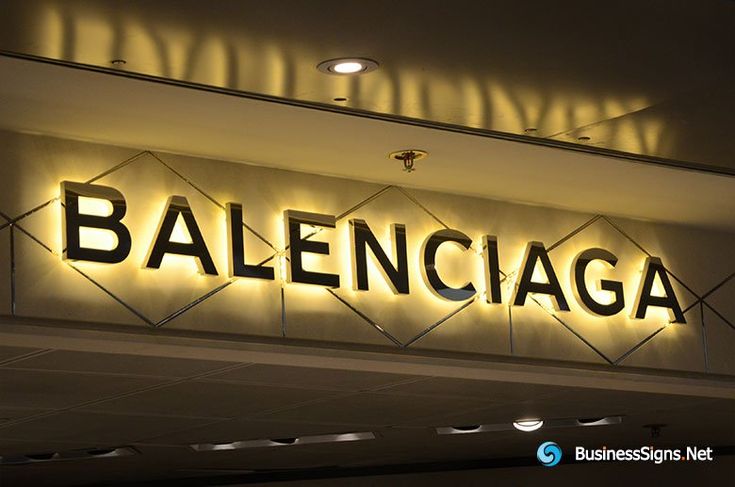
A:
649, 78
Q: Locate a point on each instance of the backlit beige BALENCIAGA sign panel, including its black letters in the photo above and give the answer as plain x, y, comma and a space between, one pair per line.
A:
108, 237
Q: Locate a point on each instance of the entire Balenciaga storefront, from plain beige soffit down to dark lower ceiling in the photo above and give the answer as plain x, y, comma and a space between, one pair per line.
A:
231, 288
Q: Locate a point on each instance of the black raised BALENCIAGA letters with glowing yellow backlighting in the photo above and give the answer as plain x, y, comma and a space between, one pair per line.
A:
393, 264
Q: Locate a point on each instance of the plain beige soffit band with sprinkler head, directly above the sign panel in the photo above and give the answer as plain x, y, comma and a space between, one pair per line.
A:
80, 104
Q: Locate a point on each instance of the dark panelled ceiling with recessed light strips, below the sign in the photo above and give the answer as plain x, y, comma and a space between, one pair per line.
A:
60, 400
